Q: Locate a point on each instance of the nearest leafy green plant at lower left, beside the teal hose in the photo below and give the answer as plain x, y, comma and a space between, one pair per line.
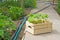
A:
6, 27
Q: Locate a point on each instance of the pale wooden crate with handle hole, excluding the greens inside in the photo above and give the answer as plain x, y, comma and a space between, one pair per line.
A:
39, 28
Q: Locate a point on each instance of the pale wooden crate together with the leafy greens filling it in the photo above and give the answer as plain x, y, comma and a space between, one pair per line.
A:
38, 23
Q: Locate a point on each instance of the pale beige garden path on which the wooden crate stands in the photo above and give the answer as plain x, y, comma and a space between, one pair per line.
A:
55, 34
